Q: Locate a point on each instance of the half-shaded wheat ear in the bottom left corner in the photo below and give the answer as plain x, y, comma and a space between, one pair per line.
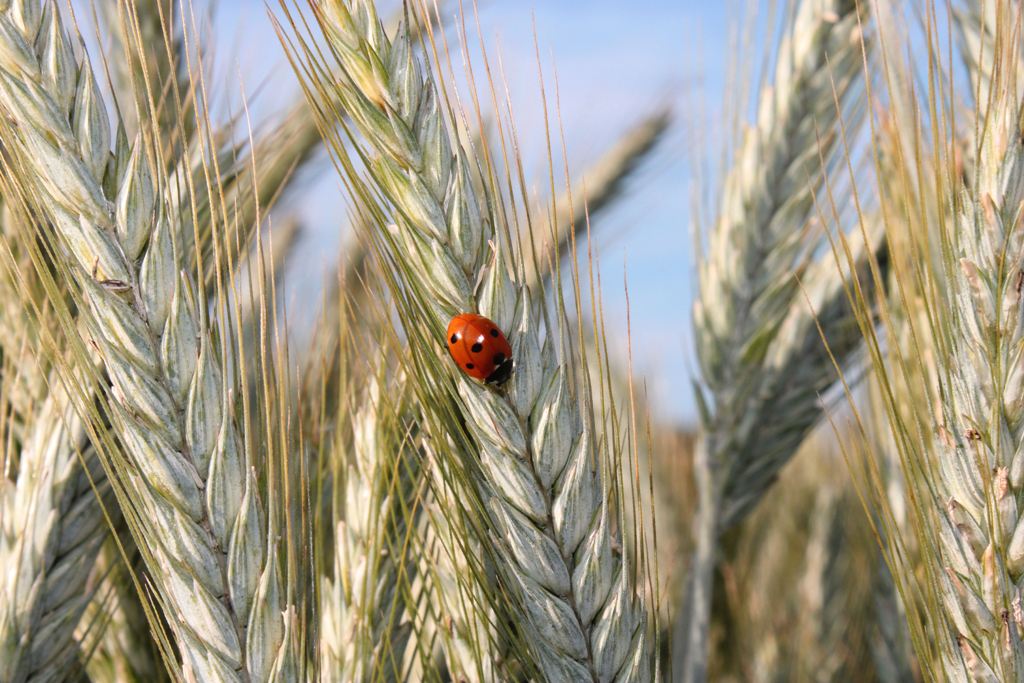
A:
53, 529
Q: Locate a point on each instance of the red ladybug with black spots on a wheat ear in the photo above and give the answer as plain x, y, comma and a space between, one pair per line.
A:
480, 349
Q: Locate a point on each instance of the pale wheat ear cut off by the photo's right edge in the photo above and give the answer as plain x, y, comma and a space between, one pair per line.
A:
979, 464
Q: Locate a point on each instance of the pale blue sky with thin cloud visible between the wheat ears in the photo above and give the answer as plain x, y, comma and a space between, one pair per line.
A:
615, 63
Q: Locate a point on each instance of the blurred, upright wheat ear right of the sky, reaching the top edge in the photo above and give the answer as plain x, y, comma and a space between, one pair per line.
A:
764, 234
